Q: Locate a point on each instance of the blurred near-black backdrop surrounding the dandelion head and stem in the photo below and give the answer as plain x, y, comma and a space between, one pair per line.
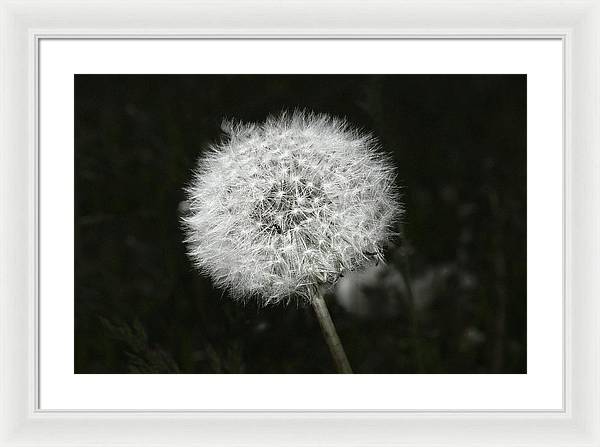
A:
459, 143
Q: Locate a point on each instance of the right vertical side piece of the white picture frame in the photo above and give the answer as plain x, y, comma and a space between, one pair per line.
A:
585, 236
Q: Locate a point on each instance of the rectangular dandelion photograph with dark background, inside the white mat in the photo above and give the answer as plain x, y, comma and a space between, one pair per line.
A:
300, 224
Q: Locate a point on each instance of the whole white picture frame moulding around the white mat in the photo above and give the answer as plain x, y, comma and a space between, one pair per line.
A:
23, 23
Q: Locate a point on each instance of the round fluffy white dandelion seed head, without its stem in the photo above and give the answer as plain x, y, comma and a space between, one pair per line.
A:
284, 207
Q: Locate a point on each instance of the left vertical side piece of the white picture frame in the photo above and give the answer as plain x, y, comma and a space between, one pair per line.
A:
16, 228
